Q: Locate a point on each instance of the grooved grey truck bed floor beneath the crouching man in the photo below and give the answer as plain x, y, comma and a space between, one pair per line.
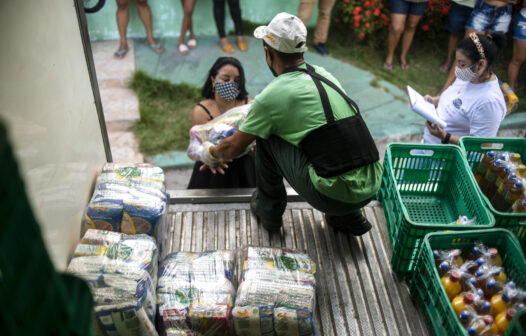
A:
357, 294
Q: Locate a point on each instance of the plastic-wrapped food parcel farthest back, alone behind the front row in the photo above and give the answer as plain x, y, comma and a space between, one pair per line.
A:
128, 198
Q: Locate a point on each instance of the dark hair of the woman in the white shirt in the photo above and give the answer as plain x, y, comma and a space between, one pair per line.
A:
492, 44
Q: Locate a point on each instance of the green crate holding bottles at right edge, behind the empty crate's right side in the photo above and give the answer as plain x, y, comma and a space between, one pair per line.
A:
474, 149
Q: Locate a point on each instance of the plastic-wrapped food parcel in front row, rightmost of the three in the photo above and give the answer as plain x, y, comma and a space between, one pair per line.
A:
276, 293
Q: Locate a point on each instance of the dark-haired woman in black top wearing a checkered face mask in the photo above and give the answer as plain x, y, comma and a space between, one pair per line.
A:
223, 90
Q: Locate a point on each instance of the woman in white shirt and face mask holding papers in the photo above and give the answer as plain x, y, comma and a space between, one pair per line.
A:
473, 104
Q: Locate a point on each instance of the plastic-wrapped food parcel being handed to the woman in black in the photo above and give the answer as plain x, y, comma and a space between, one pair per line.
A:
216, 130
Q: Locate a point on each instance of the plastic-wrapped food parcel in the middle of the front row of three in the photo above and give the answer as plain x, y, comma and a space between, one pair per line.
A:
195, 293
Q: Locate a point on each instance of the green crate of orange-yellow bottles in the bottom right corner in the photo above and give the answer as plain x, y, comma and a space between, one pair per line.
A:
426, 288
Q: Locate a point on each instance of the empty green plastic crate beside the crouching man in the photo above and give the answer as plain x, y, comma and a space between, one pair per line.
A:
424, 189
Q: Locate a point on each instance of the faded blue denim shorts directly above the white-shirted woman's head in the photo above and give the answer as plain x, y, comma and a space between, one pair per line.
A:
488, 17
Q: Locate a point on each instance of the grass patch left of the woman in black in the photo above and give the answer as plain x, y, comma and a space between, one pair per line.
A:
165, 111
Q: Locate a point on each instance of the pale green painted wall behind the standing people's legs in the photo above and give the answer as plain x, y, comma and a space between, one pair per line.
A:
167, 17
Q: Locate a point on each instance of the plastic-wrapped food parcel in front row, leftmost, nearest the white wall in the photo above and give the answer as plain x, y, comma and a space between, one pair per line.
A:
121, 271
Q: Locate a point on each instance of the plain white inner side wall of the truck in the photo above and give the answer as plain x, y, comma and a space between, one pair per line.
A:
47, 101
